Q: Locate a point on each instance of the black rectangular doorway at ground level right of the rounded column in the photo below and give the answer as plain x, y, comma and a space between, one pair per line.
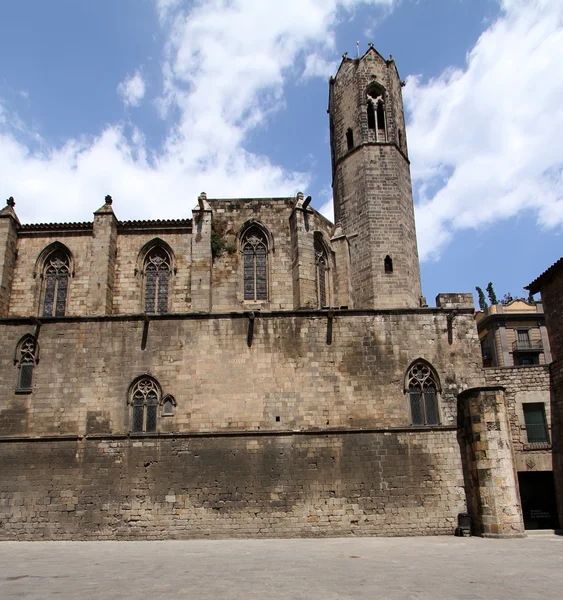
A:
537, 494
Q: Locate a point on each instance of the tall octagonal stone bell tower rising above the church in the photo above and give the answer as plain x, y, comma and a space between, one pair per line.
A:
372, 184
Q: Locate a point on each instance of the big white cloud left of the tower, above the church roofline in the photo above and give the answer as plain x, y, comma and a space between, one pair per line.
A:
224, 67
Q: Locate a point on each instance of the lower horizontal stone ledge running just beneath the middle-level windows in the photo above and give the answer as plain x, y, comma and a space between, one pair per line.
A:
216, 434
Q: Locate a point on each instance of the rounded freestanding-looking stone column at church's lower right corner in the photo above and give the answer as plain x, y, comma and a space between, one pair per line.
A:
499, 512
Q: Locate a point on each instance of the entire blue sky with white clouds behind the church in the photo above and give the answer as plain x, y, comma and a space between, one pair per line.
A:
154, 101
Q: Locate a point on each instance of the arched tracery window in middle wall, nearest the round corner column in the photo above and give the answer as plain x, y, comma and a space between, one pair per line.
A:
422, 388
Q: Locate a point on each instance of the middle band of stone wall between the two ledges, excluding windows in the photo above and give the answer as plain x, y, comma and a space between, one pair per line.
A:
291, 377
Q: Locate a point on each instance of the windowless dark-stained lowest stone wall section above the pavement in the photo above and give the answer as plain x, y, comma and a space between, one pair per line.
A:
386, 483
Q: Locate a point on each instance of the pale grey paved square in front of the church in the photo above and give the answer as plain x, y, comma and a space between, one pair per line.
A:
373, 568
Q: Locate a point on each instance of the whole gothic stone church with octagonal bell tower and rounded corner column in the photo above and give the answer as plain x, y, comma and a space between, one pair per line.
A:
254, 370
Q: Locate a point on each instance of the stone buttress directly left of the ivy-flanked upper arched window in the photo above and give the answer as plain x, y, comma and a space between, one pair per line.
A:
202, 261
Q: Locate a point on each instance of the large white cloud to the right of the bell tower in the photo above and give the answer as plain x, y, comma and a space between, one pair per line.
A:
485, 141
